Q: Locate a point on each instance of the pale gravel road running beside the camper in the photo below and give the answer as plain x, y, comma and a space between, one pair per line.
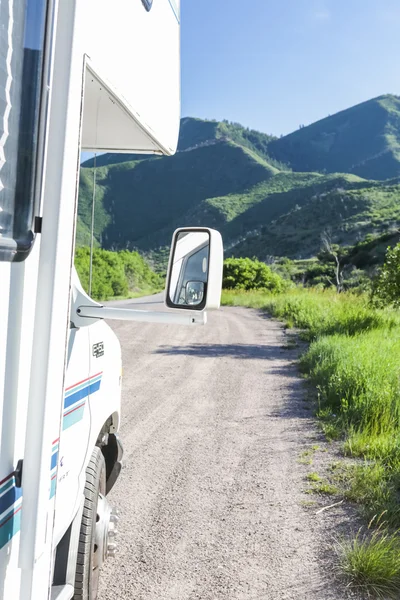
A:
212, 499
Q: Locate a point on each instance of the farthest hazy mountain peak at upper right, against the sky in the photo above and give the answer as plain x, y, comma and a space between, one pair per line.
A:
364, 140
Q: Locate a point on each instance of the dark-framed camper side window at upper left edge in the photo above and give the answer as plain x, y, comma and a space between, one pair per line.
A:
22, 29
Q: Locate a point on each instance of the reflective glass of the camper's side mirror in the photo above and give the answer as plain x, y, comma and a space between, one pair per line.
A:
189, 268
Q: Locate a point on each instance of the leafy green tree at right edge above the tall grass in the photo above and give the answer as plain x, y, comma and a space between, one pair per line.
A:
386, 287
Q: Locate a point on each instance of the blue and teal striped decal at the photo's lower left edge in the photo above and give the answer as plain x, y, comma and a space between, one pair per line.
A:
10, 509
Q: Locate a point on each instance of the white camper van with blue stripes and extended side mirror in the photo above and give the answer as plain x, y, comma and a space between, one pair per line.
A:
102, 76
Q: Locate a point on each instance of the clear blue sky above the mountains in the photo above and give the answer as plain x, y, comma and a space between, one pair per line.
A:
275, 64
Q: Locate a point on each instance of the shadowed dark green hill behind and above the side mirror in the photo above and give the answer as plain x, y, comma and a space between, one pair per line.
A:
139, 203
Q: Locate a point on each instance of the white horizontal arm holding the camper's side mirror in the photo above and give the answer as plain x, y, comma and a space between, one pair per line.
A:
144, 316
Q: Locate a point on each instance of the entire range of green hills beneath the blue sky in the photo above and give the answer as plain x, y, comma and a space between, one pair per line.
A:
223, 176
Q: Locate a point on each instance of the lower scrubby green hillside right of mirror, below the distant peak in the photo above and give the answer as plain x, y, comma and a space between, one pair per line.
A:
351, 208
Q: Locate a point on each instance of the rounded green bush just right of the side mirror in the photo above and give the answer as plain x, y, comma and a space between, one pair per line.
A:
246, 274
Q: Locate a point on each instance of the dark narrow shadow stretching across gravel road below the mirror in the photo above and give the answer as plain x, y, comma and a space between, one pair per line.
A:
241, 351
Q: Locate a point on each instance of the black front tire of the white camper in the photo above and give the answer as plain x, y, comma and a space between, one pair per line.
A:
87, 567
